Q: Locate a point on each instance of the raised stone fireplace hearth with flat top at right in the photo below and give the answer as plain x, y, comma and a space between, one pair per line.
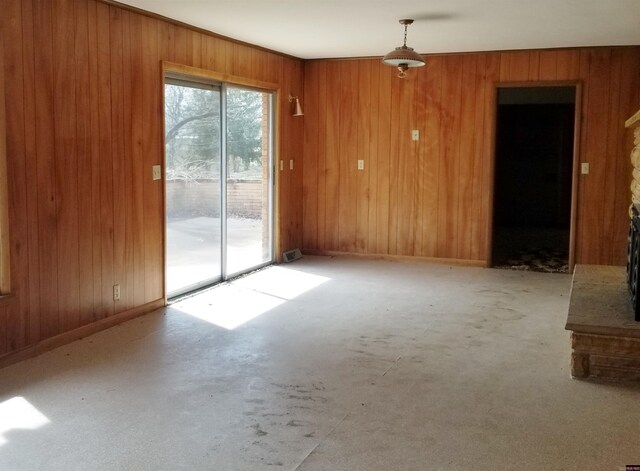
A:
605, 339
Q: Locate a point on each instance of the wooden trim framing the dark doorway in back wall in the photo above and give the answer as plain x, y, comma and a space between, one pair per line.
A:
575, 180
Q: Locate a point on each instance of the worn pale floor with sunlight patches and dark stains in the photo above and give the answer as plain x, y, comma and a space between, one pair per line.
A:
327, 364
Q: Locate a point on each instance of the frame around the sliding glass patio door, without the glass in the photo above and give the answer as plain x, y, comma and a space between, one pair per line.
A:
188, 74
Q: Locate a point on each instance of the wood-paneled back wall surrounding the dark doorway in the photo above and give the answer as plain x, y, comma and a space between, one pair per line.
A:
432, 198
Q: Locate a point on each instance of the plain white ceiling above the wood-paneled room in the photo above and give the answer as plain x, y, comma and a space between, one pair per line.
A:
353, 28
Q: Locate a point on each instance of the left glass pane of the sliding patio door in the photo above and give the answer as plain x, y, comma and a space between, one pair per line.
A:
193, 190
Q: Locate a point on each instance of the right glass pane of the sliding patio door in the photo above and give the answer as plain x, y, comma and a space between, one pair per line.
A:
249, 176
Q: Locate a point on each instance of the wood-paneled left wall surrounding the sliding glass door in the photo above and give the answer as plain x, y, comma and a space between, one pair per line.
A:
84, 126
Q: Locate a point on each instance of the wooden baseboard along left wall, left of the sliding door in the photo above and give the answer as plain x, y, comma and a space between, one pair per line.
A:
79, 333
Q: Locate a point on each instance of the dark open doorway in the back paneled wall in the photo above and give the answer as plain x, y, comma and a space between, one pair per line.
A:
533, 178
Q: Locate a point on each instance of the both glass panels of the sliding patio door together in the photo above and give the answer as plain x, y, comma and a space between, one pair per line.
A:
218, 145
